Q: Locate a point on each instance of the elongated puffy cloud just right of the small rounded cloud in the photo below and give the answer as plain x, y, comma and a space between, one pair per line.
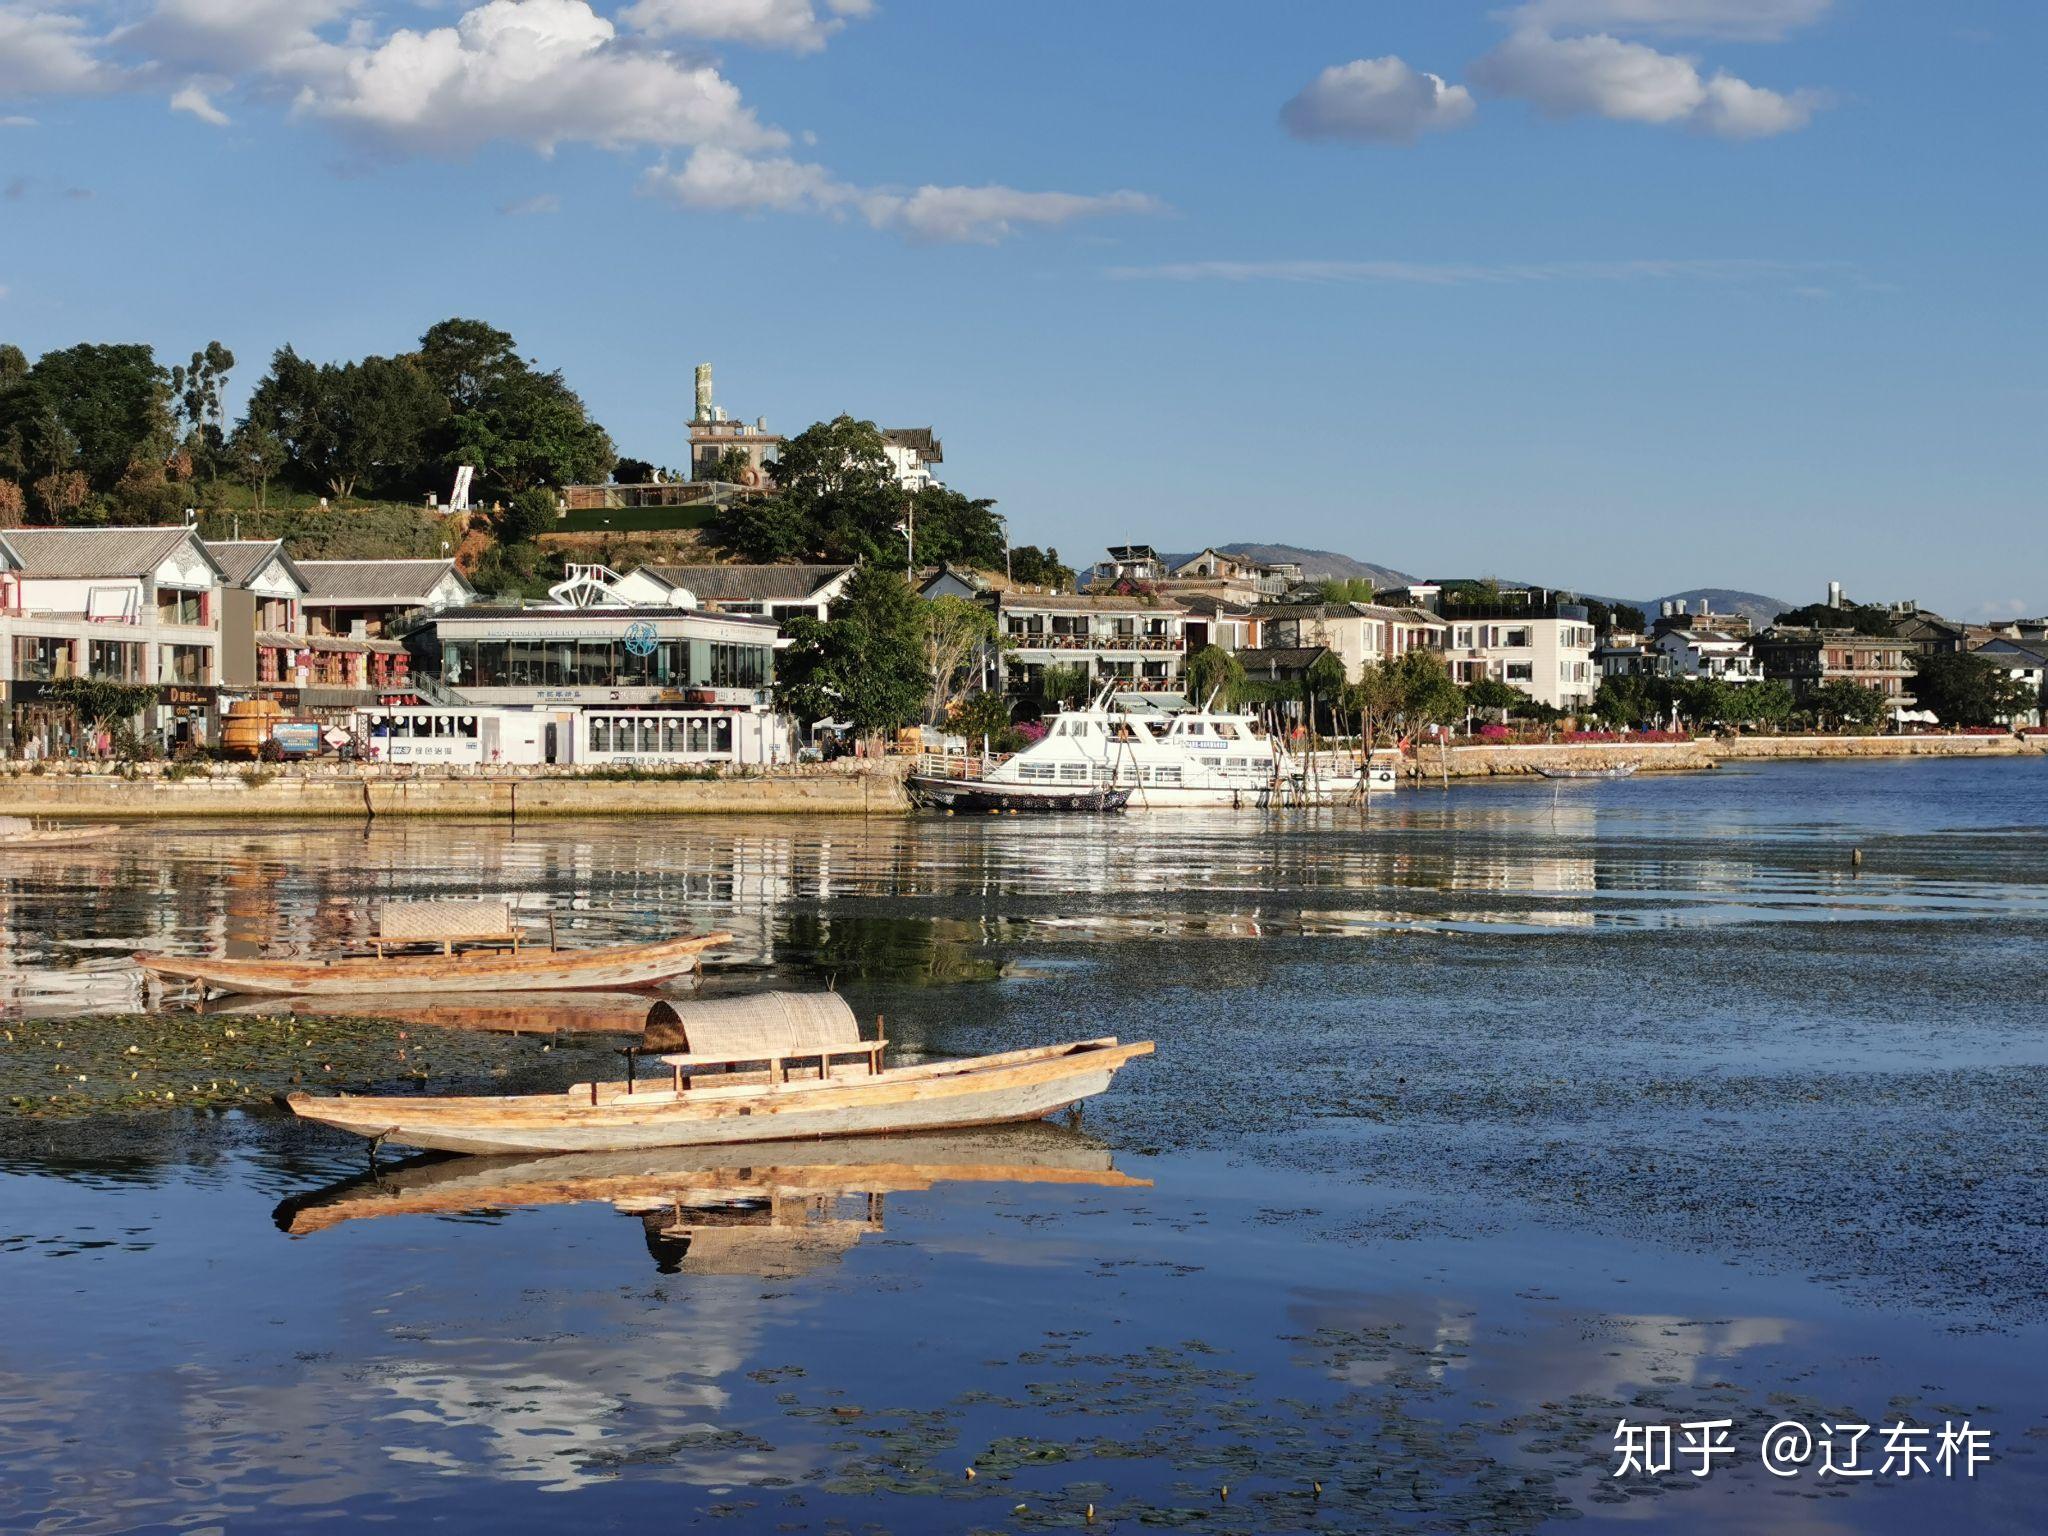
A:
1633, 83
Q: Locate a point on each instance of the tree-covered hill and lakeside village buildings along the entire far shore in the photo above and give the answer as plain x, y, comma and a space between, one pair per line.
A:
777, 601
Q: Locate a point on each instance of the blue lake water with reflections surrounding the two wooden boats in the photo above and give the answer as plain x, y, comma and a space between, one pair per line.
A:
1480, 1123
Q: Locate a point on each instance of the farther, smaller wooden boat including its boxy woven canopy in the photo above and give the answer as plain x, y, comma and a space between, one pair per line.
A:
445, 947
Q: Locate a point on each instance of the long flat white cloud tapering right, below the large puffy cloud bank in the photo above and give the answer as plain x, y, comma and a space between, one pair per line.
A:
728, 181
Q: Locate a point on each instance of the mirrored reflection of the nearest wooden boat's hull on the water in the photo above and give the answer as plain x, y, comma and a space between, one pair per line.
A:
693, 1177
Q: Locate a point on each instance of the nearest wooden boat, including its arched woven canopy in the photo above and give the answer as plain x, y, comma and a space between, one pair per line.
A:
734, 1086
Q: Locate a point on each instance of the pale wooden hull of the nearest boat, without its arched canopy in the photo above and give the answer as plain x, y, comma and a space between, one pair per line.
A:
740, 1109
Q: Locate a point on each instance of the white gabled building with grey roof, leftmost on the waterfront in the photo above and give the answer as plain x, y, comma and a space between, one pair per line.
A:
126, 605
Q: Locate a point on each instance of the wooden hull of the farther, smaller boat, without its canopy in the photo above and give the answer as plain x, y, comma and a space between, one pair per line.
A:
617, 968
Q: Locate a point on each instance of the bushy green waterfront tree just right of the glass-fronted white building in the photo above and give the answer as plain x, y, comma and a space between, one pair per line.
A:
865, 665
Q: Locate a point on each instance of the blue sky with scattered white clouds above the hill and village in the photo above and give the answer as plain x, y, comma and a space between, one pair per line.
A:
1627, 296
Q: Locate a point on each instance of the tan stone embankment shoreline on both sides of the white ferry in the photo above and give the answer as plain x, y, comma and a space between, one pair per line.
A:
869, 787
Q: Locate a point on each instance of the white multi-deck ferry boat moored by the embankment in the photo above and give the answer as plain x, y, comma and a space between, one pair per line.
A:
1166, 753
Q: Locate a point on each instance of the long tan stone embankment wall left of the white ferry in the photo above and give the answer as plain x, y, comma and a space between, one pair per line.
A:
372, 790
